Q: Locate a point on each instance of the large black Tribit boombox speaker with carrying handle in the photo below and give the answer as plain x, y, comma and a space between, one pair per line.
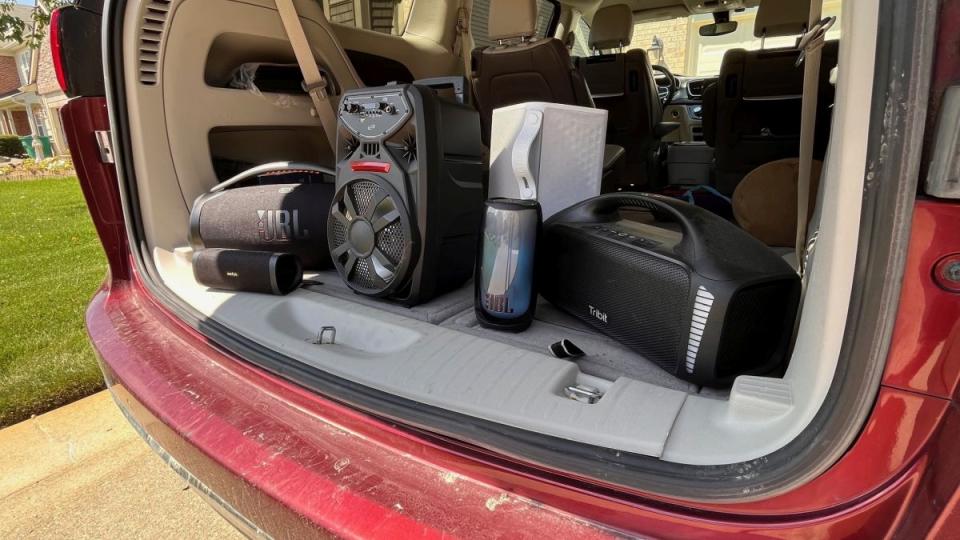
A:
686, 289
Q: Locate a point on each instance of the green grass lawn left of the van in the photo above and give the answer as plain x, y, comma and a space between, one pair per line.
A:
51, 263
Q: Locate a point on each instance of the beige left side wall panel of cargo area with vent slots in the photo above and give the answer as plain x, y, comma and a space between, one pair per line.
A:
173, 171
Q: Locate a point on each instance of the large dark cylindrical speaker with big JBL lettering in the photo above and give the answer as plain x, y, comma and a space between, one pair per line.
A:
290, 218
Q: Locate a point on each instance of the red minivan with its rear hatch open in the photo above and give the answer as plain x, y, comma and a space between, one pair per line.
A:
325, 412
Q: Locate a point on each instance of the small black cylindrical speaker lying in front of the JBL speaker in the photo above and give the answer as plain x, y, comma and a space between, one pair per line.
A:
248, 271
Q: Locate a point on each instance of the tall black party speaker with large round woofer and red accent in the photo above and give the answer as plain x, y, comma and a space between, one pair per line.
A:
406, 214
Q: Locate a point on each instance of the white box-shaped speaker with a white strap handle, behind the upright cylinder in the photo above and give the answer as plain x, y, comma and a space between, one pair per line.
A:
546, 151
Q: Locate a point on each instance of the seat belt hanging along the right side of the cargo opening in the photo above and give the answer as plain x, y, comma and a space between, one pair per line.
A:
810, 45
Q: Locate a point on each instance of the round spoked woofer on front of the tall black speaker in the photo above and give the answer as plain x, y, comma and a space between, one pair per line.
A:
372, 241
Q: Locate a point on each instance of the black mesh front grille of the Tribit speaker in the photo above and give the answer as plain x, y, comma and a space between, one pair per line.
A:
651, 323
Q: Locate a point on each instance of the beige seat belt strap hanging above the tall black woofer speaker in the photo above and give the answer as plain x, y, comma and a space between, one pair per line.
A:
314, 82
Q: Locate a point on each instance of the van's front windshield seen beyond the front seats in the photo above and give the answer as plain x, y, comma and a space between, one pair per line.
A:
677, 45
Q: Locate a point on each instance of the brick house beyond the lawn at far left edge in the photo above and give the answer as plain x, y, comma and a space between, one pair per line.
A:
30, 97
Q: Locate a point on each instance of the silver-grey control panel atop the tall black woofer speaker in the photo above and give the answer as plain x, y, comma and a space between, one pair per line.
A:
374, 115
